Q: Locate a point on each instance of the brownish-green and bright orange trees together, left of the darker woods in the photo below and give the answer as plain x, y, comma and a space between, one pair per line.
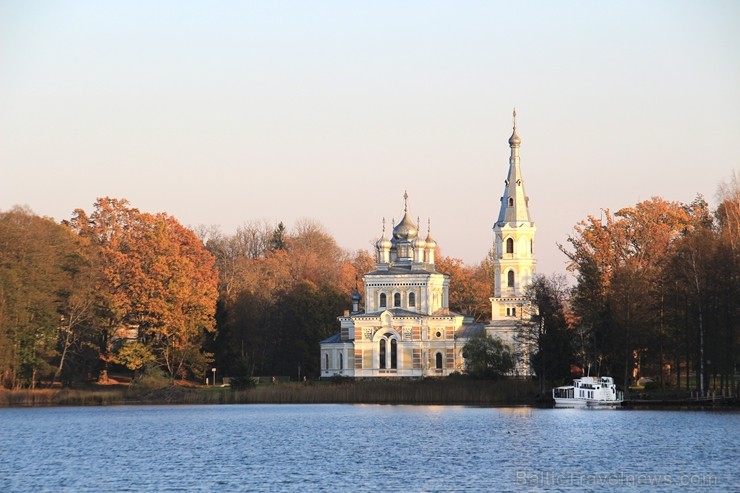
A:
113, 287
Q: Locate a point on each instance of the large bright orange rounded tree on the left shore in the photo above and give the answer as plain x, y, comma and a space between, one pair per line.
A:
158, 279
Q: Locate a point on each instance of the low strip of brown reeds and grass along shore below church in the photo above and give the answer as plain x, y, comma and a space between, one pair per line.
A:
505, 392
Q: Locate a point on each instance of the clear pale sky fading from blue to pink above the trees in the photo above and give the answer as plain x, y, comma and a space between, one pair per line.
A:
223, 113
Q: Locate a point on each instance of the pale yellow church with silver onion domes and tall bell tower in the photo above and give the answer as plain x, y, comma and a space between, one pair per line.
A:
406, 329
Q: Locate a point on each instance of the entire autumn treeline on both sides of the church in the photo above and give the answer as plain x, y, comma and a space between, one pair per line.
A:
657, 294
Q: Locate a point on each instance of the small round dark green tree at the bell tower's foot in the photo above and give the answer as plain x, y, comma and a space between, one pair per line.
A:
487, 357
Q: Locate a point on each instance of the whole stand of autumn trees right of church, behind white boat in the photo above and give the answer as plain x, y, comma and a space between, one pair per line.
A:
658, 292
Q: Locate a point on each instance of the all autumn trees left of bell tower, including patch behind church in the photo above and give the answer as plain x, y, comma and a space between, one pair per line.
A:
120, 289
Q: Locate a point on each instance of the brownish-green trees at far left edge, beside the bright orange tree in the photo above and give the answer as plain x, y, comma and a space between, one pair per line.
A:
33, 280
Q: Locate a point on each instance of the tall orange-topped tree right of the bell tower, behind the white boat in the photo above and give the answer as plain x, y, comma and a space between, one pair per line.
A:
619, 261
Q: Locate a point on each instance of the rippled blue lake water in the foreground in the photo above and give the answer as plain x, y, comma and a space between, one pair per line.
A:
366, 448
